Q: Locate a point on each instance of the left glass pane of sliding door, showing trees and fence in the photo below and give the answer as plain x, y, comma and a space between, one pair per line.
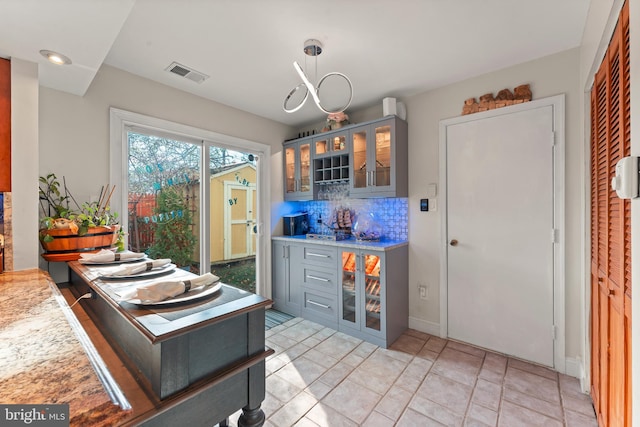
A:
163, 195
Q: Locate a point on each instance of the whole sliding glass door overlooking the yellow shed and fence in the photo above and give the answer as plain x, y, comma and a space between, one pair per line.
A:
201, 215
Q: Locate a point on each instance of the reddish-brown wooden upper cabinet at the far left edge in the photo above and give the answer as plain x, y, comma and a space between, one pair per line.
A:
5, 125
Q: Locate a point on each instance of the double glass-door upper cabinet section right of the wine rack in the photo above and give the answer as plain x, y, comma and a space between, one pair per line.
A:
379, 157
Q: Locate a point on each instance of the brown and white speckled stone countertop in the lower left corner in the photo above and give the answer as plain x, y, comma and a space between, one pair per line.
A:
48, 360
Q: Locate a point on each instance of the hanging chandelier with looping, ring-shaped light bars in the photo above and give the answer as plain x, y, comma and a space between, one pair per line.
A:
313, 48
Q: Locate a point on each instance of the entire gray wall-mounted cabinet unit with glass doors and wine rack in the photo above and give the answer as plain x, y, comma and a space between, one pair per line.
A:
371, 157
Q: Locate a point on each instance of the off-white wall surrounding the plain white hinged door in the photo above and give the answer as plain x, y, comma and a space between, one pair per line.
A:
547, 76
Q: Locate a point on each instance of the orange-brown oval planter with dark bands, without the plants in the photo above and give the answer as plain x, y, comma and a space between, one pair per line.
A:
67, 246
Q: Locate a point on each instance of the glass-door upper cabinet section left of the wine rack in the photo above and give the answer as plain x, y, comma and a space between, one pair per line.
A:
297, 170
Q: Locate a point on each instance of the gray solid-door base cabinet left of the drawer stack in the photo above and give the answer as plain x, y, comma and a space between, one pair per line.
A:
285, 290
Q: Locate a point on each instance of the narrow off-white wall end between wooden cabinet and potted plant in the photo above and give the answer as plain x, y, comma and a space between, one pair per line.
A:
24, 161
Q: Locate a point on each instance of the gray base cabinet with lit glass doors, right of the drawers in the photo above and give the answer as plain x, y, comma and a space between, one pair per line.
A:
373, 294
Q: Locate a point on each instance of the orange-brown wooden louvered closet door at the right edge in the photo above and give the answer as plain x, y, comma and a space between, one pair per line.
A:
610, 235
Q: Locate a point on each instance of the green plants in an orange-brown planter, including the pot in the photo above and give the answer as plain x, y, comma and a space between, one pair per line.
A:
66, 232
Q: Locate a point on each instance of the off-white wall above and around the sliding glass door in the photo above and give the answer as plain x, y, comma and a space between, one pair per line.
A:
74, 131
